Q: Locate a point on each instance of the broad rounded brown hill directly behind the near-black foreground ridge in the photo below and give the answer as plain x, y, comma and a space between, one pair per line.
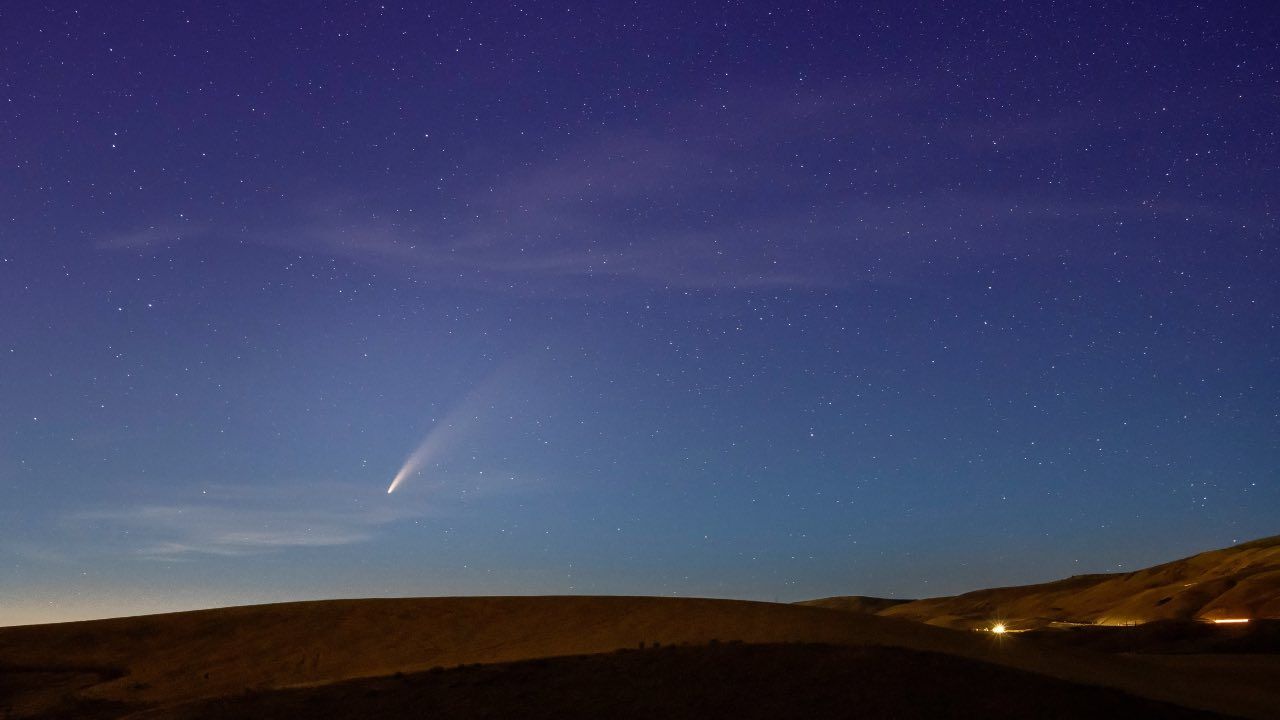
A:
164, 660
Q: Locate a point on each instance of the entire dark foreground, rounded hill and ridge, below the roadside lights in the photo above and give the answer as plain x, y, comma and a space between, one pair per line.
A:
597, 658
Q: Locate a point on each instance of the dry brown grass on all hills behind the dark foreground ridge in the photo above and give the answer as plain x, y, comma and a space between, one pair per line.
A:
99, 668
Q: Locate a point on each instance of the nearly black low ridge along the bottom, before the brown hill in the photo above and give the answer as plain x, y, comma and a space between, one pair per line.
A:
744, 682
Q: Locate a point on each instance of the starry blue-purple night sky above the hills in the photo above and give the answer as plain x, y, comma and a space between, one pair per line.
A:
734, 300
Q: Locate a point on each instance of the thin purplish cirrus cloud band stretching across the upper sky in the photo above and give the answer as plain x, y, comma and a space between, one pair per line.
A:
712, 198
